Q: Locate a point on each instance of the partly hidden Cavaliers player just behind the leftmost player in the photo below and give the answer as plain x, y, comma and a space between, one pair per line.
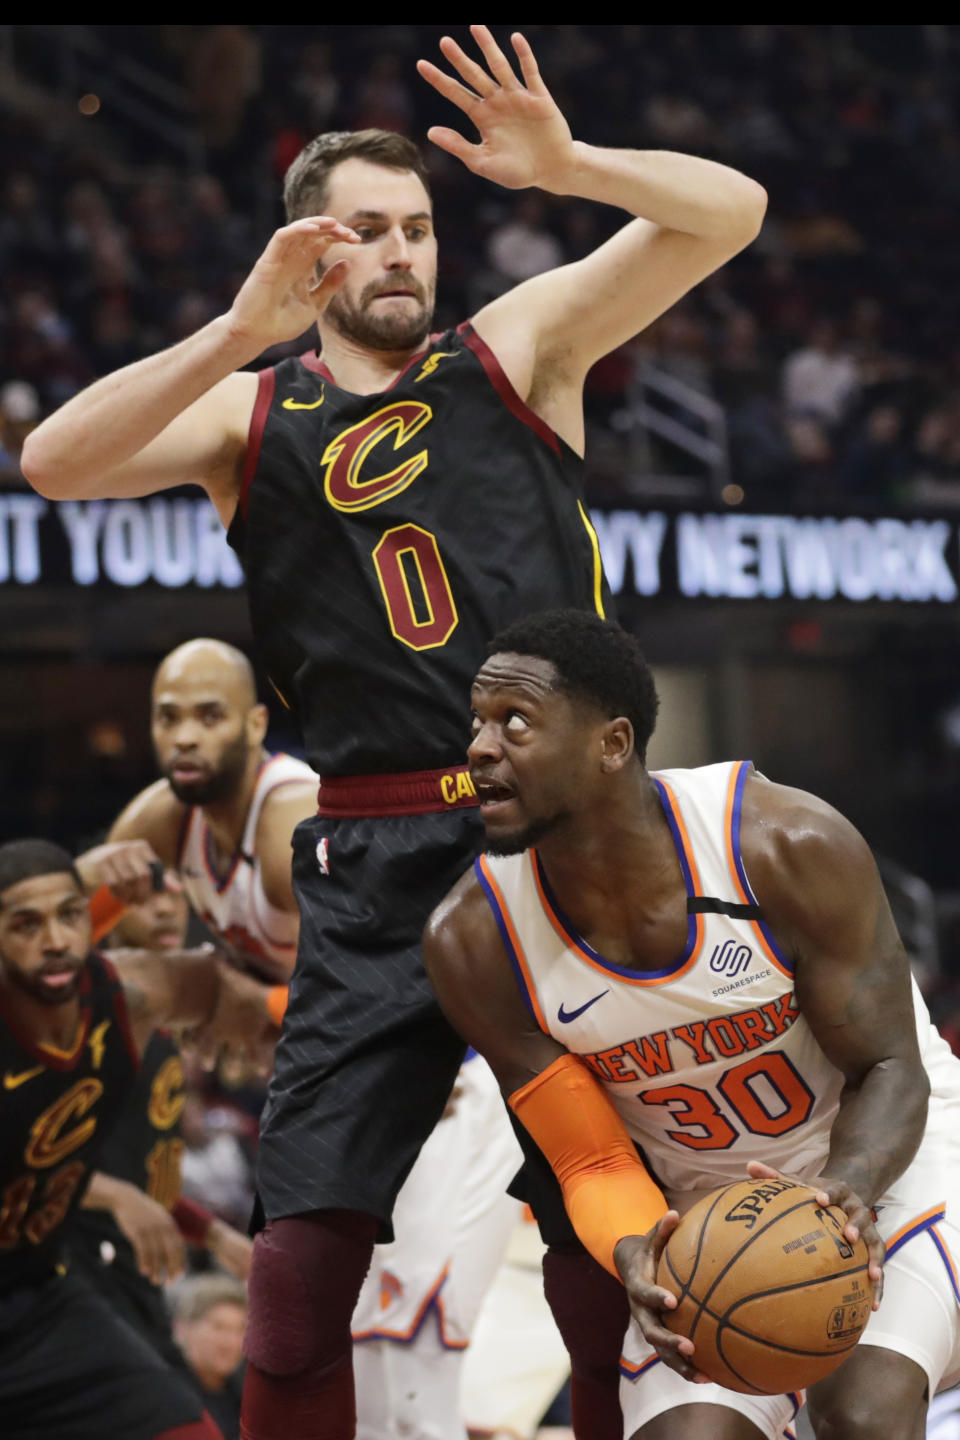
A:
129, 1235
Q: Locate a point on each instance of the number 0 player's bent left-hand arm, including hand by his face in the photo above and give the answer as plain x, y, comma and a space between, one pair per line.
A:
184, 415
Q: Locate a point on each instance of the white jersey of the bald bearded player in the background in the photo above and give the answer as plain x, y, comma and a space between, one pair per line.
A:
234, 905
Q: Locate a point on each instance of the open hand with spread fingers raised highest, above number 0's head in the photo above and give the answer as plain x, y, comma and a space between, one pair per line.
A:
525, 139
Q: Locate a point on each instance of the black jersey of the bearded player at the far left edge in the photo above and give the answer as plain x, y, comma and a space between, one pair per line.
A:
55, 1112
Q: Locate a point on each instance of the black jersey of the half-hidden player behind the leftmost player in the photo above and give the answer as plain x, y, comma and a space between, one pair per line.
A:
143, 1148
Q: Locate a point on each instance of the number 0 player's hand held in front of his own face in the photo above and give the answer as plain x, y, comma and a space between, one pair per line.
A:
283, 297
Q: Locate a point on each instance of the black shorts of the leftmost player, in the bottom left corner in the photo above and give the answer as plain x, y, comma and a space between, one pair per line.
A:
71, 1370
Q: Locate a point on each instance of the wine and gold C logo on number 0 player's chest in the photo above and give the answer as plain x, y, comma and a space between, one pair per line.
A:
355, 477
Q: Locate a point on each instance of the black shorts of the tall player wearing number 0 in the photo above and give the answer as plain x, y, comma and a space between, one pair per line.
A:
366, 1061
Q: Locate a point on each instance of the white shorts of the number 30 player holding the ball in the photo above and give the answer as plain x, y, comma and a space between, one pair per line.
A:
919, 1318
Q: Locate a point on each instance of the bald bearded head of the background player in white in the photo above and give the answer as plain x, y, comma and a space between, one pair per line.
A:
208, 726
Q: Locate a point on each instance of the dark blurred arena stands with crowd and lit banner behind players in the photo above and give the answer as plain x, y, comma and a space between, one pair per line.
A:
774, 467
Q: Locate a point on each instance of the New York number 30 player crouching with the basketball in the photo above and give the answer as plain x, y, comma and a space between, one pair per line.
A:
702, 964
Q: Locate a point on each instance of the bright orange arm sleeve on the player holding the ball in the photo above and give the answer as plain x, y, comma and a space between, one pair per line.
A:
607, 1190
